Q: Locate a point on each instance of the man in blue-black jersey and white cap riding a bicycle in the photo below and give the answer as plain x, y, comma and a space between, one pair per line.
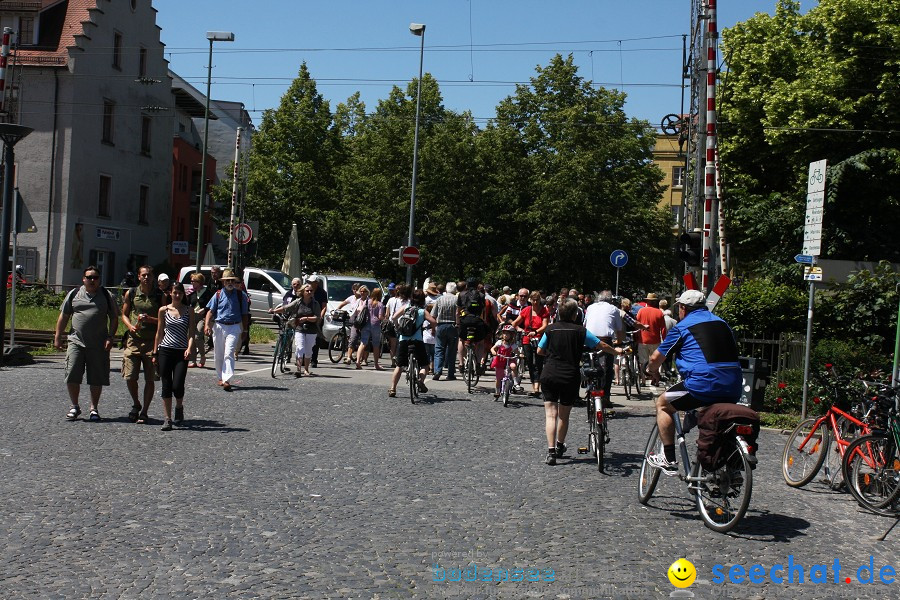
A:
706, 355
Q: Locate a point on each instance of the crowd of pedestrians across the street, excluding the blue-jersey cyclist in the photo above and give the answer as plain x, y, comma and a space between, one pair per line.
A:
168, 328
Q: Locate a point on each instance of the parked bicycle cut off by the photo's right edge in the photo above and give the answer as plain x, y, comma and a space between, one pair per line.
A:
871, 463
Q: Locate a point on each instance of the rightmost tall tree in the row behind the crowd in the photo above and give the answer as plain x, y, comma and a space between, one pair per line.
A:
583, 183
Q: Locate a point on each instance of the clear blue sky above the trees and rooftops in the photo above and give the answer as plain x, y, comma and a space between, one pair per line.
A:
476, 49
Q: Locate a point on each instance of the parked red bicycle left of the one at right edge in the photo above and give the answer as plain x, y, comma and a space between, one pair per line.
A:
811, 441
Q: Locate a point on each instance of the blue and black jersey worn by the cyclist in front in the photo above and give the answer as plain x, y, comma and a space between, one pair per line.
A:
706, 356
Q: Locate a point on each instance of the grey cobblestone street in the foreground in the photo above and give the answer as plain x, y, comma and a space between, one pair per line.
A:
324, 487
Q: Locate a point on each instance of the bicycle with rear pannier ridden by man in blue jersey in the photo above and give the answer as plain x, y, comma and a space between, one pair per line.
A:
723, 493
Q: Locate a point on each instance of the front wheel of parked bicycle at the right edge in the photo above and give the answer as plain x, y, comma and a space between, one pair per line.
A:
871, 470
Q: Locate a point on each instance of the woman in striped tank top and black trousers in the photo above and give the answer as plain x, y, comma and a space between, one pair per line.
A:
172, 349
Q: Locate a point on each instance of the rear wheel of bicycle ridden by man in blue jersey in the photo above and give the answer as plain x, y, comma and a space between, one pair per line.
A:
723, 495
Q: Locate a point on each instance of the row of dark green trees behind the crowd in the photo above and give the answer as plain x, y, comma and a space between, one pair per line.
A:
541, 196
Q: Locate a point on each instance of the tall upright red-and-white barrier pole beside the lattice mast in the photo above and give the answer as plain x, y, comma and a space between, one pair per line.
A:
710, 166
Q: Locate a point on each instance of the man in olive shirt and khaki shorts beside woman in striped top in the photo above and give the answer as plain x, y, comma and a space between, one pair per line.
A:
139, 314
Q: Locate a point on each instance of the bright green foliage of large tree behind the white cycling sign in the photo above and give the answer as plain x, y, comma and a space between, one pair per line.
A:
800, 88
